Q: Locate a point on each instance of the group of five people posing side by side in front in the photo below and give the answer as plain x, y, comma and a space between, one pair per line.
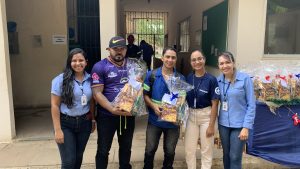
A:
74, 94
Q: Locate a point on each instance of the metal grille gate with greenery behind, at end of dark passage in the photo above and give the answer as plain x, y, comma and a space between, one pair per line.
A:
148, 26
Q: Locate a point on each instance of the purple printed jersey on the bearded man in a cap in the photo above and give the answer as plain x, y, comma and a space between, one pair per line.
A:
112, 76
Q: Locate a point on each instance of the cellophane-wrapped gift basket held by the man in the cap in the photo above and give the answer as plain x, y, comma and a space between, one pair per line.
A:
130, 98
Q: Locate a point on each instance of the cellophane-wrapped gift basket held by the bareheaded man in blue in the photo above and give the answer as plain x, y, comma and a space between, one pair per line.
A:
174, 107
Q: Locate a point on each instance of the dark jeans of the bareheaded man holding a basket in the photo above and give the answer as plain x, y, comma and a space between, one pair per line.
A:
153, 134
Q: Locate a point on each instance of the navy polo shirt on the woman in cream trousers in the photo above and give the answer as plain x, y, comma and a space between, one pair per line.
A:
205, 90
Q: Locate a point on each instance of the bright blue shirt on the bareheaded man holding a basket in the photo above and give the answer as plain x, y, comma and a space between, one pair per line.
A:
156, 91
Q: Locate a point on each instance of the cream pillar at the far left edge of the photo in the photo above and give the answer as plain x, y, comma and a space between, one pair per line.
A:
7, 121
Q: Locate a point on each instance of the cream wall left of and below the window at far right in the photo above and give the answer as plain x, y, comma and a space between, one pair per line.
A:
247, 20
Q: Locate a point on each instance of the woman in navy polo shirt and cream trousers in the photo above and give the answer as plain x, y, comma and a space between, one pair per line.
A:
203, 103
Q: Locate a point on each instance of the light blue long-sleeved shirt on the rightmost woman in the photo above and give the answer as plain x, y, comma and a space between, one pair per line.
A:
240, 99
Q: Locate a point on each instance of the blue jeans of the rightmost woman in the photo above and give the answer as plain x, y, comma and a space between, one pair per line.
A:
232, 147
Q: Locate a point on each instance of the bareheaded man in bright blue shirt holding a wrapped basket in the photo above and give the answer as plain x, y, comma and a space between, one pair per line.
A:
154, 88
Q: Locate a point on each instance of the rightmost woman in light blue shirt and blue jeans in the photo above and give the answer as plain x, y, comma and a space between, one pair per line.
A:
237, 110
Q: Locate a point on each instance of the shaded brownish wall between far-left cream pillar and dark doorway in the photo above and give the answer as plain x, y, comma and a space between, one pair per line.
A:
36, 65
